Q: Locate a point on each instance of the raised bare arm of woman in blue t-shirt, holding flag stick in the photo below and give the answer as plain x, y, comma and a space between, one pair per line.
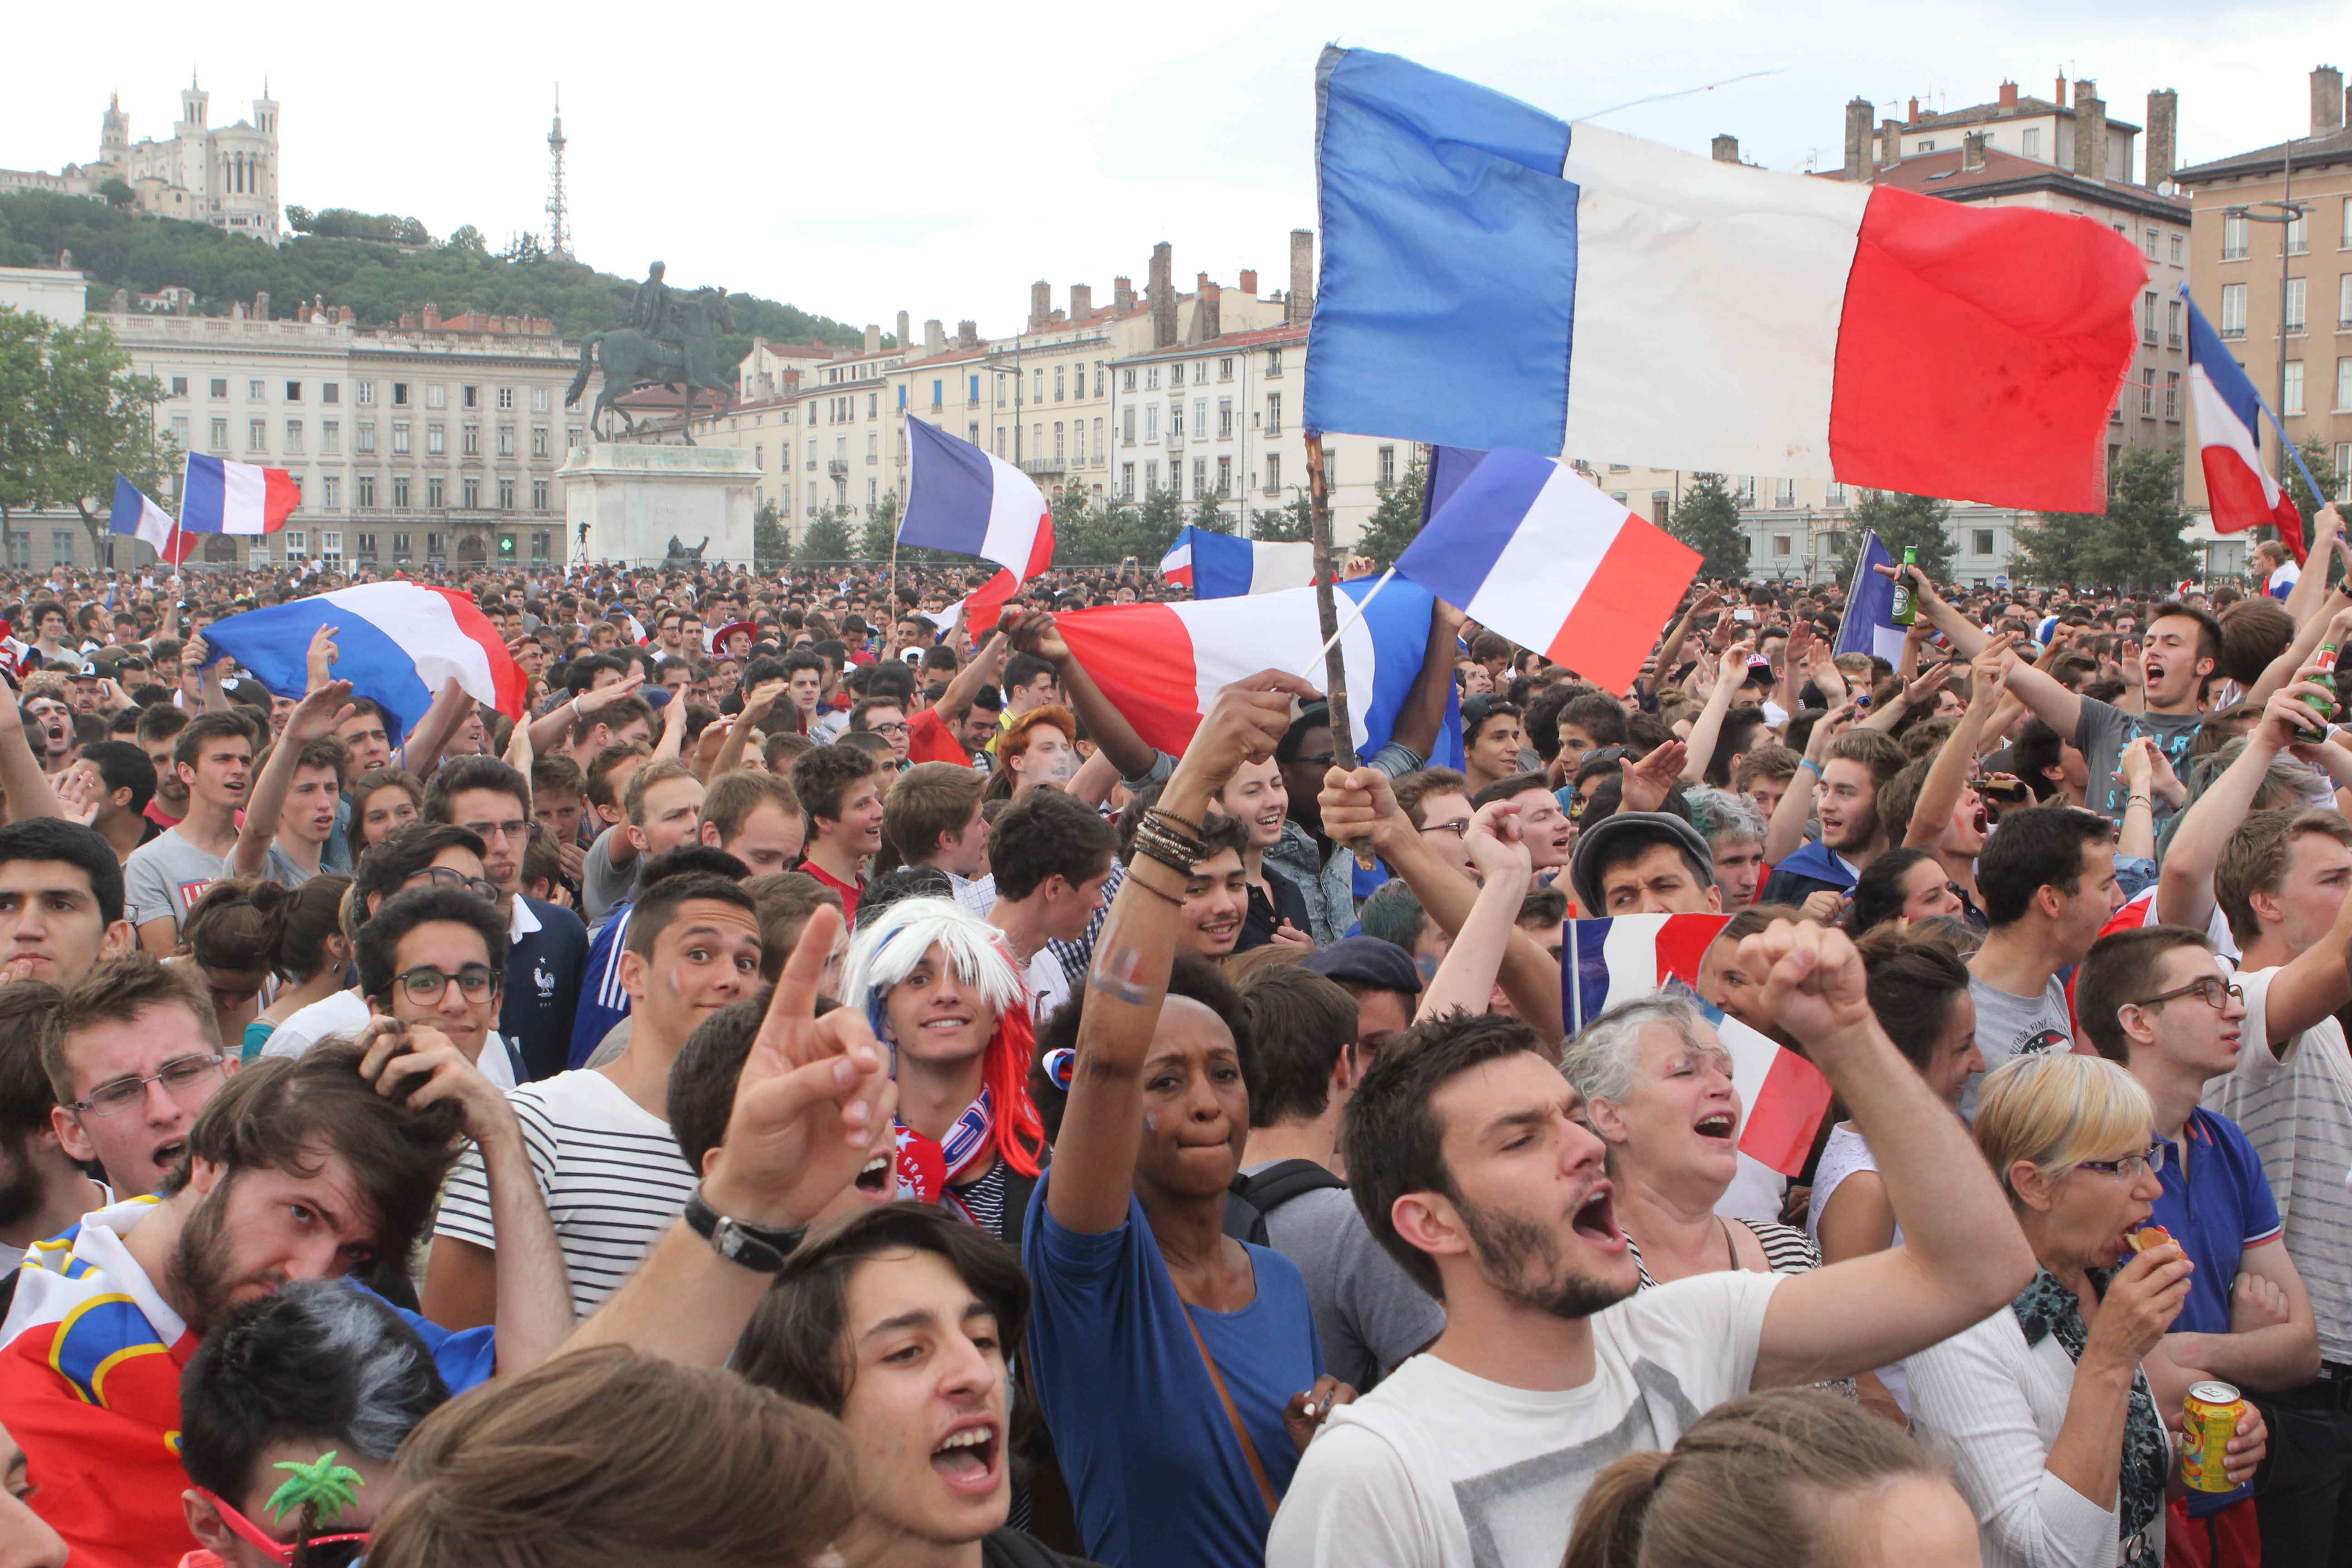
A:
1102, 1130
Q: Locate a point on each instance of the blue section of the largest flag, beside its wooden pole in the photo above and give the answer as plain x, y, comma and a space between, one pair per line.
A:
1448, 300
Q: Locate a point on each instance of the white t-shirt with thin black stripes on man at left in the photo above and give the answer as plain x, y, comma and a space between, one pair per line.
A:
608, 1167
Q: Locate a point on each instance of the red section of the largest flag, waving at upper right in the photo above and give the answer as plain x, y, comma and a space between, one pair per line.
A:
1979, 354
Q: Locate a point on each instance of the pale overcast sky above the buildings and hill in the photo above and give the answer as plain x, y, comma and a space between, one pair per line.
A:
937, 159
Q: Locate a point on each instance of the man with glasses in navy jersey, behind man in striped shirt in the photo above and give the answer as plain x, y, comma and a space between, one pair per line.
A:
547, 949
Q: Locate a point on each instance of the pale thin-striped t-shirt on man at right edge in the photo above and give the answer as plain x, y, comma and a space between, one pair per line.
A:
2297, 1113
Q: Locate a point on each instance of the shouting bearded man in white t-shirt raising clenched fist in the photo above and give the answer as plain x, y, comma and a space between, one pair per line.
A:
1471, 1165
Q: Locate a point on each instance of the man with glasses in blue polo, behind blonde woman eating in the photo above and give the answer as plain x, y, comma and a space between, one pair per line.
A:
2158, 1003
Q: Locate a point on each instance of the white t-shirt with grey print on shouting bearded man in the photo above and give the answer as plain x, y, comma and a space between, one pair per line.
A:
1445, 1470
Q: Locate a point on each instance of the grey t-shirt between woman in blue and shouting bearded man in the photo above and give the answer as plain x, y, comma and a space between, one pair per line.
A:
1370, 1315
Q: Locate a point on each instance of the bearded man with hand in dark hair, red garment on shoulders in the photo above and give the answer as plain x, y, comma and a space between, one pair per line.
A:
295, 1172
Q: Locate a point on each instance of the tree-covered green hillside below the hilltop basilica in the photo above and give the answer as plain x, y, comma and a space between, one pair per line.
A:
377, 264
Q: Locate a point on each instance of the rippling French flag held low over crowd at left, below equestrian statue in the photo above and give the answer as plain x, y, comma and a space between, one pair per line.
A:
394, 643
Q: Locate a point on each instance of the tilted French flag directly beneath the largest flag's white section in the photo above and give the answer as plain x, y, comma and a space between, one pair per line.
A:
1530, 549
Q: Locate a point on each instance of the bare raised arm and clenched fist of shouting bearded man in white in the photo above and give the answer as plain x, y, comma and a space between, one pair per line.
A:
1963, 1252
